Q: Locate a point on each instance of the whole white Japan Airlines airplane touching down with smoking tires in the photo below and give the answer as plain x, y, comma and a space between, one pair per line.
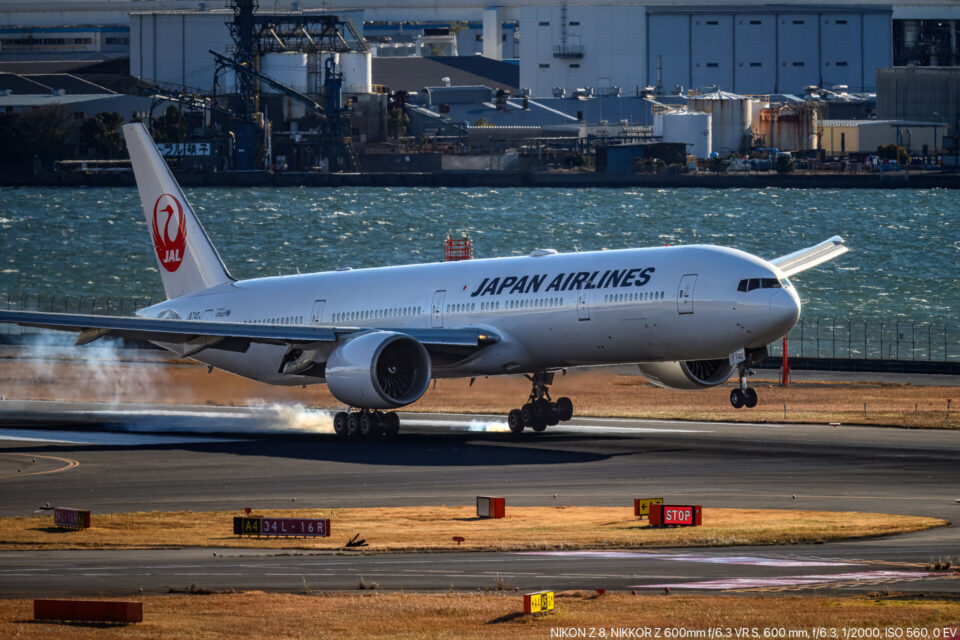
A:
687, 316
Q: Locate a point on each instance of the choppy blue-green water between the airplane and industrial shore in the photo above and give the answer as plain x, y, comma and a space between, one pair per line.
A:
904, 259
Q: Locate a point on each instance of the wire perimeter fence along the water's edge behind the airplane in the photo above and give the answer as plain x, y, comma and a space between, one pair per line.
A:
815, 338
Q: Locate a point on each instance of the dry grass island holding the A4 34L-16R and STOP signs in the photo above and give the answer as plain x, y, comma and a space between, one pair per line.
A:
433, 529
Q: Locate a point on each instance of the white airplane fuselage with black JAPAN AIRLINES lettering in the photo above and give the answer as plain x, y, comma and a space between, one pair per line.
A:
550, 311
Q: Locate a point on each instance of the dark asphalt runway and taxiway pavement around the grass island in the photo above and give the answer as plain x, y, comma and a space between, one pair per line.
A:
205, 458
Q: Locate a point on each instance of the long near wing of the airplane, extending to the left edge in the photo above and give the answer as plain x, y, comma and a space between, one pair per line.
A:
196, 335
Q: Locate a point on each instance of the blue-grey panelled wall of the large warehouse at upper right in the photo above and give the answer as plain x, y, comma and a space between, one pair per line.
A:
782, 52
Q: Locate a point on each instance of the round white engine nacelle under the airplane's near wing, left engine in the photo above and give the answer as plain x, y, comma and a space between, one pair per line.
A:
378, 370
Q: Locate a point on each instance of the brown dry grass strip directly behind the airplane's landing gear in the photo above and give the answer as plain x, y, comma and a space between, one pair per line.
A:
62, 376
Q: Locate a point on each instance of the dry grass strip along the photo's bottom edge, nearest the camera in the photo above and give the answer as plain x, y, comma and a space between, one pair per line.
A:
408, 616
